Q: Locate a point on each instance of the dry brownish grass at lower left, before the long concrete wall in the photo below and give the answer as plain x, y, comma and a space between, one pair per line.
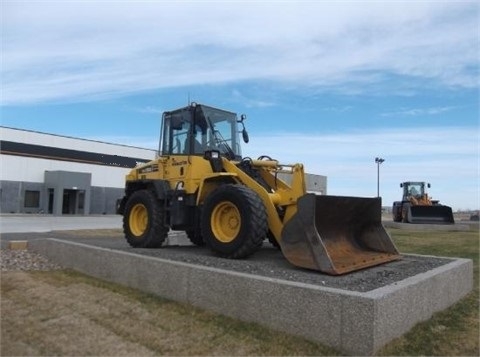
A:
65, 313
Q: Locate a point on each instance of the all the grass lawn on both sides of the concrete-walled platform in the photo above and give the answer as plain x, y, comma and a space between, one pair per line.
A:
67, 313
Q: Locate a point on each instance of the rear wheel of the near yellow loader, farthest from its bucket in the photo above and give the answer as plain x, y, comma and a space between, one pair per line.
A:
143, 221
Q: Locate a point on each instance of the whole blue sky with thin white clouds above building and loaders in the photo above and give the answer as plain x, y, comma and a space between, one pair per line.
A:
330, 84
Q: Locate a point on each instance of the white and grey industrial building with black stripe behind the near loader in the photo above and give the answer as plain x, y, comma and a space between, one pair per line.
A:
53, 174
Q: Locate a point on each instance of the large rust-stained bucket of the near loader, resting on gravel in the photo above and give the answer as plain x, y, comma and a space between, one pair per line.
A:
337, 235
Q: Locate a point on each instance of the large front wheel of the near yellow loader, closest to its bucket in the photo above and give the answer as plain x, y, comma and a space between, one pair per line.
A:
234, 221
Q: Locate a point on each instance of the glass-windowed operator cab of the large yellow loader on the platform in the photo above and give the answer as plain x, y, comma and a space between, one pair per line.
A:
198, 128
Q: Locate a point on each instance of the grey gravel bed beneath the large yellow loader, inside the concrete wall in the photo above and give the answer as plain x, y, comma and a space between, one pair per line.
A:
267, 262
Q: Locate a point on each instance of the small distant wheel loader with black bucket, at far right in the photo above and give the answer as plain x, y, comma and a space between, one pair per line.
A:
416, 206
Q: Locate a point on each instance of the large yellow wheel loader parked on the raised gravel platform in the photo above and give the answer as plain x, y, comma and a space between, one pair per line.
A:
201, 184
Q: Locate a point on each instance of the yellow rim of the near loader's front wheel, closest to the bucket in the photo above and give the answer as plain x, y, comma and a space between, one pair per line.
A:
226, 222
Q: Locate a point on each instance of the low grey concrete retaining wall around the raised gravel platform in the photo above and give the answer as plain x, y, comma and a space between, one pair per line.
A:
352, 322
